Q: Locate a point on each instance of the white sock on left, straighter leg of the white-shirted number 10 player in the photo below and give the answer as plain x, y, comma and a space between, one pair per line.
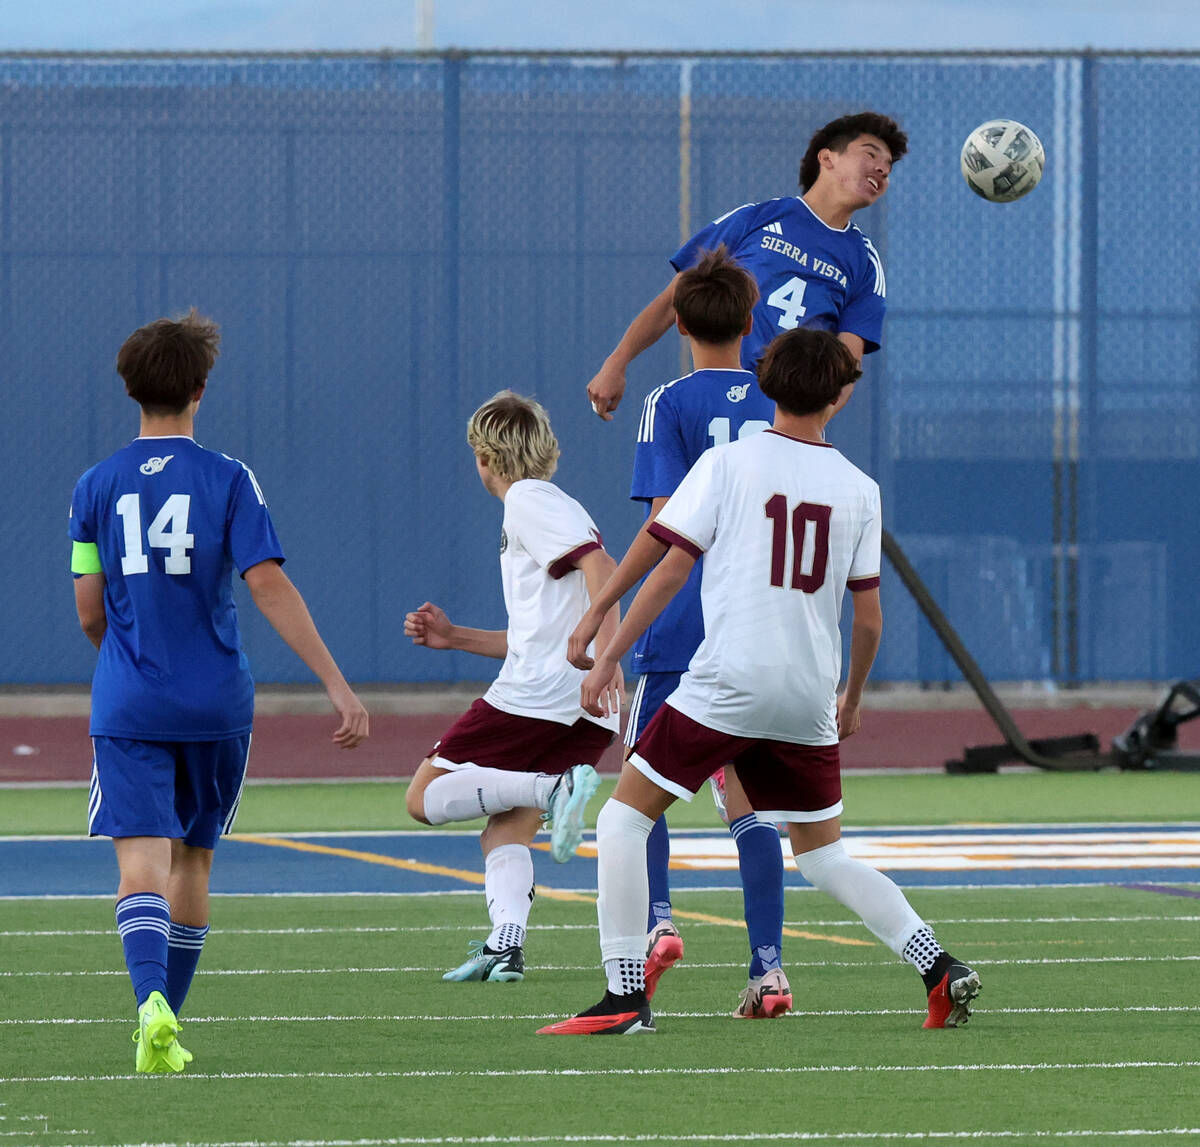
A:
625, 891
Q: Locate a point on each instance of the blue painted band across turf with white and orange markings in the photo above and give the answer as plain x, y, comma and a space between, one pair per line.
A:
424, 863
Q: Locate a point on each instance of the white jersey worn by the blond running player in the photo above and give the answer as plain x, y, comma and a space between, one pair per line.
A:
545, 535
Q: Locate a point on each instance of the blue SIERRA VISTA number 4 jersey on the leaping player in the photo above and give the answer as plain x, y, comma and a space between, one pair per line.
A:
809, 274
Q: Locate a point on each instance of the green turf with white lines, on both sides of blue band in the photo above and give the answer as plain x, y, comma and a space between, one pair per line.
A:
325, 1022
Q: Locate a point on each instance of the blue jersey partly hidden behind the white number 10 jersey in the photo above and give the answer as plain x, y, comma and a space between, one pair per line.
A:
680, 422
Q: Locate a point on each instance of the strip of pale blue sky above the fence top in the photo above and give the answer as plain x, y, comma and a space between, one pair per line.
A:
628, 25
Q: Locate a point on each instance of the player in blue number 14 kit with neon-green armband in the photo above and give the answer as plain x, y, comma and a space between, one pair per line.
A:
158, 531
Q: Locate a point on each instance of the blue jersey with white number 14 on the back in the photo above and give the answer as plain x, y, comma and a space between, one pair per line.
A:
171, 521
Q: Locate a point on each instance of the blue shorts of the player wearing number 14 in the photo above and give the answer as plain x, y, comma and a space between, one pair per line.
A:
182, 790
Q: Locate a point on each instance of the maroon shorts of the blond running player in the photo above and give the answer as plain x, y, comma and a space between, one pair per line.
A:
488, 737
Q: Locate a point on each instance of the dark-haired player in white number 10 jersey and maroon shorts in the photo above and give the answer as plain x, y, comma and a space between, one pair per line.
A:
785, 526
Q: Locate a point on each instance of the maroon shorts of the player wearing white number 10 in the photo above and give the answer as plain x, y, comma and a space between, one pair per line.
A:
783, 782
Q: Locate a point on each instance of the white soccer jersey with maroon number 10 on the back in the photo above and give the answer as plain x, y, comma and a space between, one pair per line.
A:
784, 527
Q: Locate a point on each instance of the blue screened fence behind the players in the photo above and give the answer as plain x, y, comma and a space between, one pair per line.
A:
387, 242
